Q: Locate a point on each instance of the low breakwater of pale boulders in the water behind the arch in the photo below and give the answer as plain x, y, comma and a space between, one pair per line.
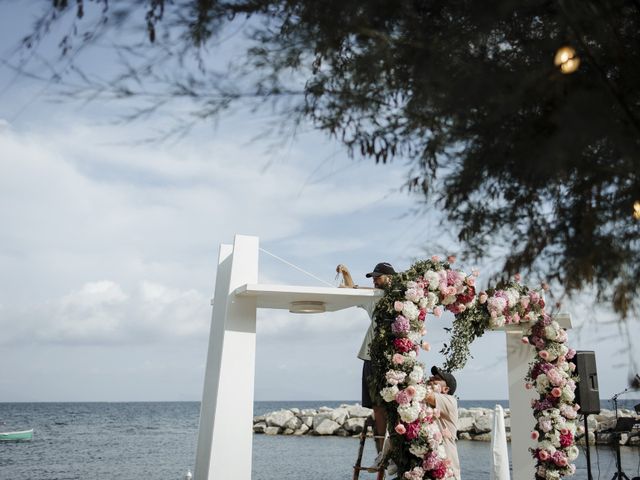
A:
473, 424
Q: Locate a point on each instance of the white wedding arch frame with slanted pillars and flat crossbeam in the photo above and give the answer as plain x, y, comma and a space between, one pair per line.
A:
225, 432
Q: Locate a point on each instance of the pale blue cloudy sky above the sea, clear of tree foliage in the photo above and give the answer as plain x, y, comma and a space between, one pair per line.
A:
108, 252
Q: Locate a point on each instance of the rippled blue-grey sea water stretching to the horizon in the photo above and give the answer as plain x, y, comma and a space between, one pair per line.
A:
157, 441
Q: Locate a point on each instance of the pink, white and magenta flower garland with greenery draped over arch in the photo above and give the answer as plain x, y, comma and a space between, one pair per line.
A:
432, 286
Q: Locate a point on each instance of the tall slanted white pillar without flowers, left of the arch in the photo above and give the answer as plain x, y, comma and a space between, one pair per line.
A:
226, 414
